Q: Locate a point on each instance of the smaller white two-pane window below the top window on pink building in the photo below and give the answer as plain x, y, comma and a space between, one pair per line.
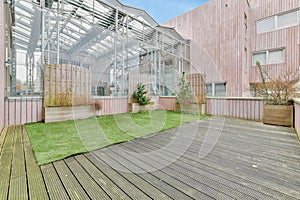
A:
268, 57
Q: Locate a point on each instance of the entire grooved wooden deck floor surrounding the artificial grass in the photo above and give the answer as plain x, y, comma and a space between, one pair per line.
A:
249, 161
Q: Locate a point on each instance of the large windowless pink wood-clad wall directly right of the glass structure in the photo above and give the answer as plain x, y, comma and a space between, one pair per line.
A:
218, 42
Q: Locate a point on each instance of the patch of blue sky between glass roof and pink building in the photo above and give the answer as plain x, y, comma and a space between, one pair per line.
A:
164, 10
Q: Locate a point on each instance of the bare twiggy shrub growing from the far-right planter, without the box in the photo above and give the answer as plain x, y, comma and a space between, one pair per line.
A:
277, 91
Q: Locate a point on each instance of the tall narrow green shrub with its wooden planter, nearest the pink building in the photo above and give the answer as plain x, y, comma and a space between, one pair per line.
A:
185, 99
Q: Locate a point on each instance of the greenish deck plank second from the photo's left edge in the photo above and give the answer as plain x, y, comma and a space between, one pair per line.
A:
18, 182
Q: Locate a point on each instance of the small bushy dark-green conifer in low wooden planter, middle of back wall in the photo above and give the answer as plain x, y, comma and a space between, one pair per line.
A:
141, 102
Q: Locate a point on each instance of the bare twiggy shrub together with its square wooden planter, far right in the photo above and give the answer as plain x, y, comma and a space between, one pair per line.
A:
278, 93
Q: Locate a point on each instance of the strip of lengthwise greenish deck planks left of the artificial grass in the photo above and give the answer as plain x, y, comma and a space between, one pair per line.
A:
21, 178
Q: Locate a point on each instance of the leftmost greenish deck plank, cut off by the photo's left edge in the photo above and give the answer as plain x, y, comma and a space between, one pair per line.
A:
5, 162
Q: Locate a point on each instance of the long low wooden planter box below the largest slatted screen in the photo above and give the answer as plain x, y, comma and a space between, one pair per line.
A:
57, 114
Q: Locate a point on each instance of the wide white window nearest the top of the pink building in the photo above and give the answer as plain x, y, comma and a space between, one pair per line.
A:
278, 22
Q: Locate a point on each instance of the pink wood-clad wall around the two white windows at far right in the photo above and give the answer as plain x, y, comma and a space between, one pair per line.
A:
288, 38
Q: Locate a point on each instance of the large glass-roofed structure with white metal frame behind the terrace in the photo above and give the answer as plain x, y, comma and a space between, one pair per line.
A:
107, 37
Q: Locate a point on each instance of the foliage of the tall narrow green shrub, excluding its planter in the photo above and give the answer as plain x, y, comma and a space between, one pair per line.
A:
185, 94
